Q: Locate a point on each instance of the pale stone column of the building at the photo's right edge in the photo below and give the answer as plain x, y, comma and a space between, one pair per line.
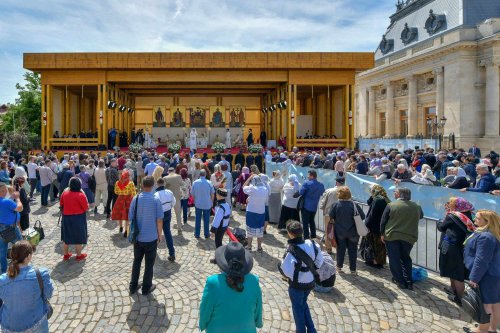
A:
492, 114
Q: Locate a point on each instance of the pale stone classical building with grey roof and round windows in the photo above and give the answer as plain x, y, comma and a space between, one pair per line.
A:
438, 59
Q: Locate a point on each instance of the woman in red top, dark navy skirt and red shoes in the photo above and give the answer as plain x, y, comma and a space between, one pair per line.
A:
74, 205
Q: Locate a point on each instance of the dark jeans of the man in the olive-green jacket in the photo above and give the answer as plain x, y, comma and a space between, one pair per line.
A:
400, 262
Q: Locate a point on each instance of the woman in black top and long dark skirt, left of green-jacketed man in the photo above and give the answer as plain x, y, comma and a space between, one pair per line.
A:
375, 252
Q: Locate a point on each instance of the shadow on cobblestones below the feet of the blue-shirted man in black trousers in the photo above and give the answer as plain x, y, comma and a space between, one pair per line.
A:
147, 315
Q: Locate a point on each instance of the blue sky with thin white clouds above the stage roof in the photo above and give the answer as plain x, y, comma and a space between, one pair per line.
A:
183, 25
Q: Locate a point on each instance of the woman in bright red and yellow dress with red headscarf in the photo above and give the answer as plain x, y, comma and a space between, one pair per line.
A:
125, 190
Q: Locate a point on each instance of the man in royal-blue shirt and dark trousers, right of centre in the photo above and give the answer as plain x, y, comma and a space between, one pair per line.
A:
311, 191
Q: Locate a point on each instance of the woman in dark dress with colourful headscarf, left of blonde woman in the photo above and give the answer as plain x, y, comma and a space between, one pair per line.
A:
454, 229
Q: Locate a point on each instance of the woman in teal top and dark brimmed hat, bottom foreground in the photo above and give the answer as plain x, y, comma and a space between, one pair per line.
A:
232, 300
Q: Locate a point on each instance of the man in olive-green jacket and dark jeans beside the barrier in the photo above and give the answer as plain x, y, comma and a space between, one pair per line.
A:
399, 230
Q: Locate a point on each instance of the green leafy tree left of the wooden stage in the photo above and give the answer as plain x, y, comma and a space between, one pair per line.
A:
23, 117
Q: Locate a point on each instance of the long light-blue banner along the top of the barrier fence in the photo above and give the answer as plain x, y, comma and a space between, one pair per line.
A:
431, 198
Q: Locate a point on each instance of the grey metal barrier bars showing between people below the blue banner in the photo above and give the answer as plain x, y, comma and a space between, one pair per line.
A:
425, 252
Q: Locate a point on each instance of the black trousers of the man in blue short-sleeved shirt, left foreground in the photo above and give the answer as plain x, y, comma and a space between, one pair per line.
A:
148, 251
